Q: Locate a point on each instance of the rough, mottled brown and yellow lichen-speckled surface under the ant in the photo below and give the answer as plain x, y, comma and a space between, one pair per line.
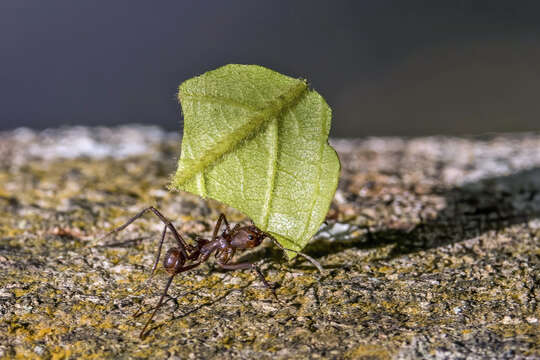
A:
431, 250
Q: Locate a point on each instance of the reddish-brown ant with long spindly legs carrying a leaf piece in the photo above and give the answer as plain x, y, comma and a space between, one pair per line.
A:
223, 246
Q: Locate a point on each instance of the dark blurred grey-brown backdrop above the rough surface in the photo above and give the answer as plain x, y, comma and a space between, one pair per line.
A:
385, 67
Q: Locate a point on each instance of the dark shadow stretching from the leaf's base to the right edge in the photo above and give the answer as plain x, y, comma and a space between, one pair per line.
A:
491, 204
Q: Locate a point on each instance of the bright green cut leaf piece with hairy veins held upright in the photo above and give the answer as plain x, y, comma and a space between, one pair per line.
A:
257, 140
